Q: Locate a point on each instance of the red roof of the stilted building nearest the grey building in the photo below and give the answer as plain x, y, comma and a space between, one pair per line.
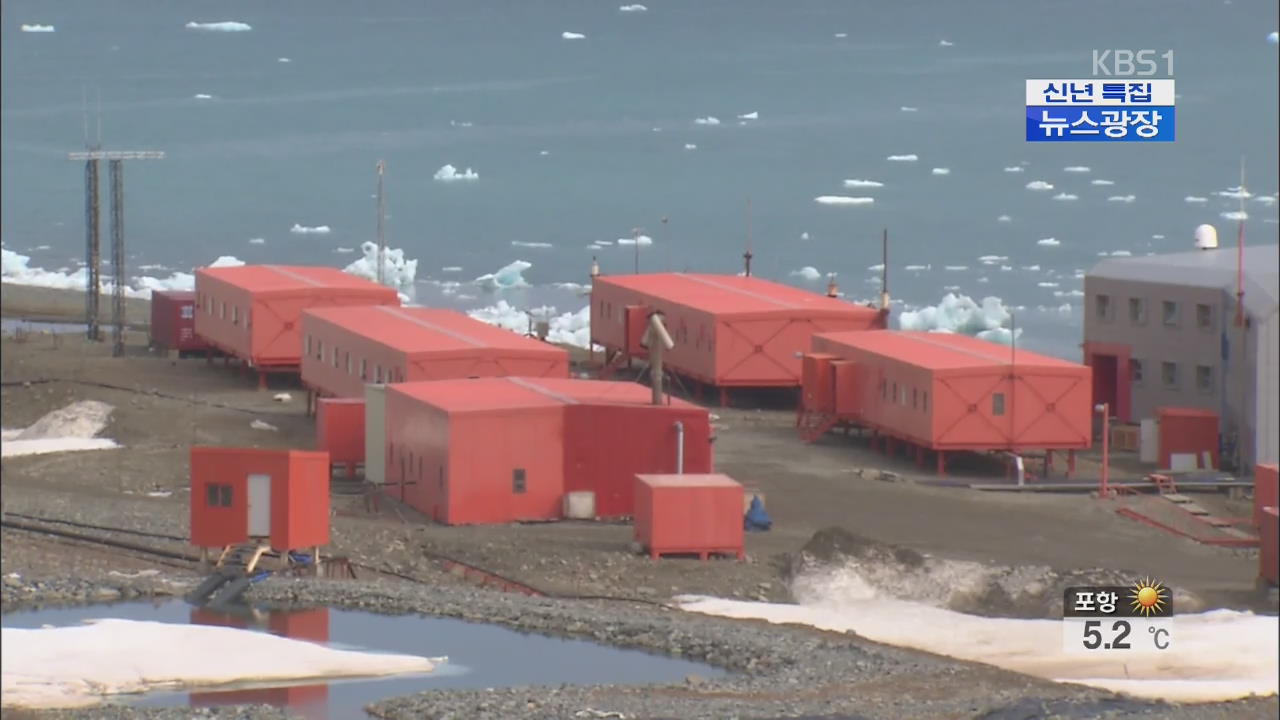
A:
941, 352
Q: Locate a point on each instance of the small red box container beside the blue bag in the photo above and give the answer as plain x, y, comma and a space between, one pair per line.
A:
689, 514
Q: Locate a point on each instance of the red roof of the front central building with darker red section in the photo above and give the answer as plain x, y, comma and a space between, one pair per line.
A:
477, 395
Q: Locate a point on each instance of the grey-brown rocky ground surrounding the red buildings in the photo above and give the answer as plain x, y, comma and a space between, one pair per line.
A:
163, 407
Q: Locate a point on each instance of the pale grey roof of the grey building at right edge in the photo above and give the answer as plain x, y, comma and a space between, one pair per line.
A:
1206, 268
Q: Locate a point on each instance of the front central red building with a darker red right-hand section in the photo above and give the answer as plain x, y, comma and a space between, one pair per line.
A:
501, 450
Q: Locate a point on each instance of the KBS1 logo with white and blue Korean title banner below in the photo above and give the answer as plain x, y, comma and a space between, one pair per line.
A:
1116, 106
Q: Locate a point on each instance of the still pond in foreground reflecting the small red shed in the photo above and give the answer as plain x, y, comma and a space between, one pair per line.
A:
481, 657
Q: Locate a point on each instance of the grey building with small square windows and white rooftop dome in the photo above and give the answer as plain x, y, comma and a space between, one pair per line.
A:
1162, 331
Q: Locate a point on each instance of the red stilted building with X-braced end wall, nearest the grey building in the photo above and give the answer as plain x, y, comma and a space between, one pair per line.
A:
948, 393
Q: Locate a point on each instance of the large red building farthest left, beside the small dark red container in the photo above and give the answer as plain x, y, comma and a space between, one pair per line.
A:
254, 312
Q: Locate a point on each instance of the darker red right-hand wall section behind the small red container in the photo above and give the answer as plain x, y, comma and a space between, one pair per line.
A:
606, 446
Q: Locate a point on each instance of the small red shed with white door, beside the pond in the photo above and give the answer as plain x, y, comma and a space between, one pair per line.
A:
240, 494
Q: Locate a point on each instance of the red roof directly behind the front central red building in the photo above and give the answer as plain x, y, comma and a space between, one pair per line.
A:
428, 330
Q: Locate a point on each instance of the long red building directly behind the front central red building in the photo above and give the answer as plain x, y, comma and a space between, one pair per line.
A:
346, 348
